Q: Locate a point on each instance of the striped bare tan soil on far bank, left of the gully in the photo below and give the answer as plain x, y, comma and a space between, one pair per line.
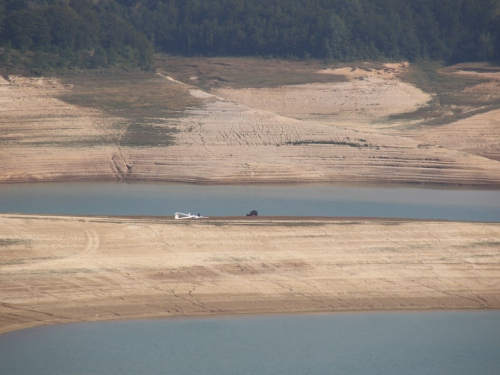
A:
45, 139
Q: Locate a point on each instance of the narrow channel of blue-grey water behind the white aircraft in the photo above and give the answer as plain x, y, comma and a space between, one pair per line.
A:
268, 200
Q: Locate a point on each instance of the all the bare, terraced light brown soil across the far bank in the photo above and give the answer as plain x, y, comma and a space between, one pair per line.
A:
320, 132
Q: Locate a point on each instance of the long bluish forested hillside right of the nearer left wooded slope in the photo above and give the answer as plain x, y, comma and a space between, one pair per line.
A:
450, 30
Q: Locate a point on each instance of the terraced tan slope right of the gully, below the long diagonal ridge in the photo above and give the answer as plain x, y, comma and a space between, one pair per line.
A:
229, 143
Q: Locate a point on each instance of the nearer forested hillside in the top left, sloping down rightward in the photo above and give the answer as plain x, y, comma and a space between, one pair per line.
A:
77, 33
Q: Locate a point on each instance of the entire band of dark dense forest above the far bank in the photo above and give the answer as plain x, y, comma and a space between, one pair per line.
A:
100, 33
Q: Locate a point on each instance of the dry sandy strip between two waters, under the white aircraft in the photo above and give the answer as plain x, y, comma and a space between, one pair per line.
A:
57, 269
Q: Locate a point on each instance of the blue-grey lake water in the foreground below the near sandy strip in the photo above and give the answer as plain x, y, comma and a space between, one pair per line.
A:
356, 343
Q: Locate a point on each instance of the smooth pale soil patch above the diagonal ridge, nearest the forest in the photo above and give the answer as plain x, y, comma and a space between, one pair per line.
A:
366, 97
